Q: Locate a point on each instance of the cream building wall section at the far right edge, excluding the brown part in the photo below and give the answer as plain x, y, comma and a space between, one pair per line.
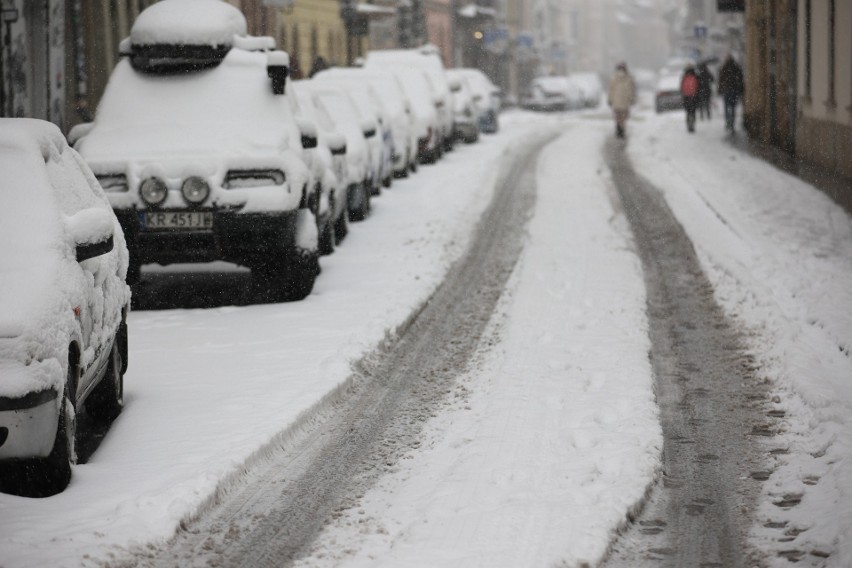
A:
824, 123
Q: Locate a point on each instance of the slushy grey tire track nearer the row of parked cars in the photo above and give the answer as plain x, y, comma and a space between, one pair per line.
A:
276, 513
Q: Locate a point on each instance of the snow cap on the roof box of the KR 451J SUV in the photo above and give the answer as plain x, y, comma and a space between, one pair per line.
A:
188, 22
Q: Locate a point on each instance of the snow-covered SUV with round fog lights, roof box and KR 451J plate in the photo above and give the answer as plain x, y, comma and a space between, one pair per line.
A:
199, 152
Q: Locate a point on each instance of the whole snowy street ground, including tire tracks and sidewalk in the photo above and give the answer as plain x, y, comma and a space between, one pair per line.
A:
542, 438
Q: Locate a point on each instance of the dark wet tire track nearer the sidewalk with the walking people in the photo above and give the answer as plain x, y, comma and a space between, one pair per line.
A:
710, 402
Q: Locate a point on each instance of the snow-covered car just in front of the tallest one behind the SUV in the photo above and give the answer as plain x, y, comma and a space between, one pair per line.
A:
388, 96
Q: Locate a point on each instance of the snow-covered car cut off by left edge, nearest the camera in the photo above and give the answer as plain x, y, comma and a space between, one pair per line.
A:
63, 306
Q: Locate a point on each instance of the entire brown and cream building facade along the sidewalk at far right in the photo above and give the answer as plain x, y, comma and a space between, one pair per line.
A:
799, 80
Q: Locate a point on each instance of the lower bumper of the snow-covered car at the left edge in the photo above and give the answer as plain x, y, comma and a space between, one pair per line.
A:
28, 425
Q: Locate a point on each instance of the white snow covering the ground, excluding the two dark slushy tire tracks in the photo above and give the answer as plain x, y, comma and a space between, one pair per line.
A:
555, 437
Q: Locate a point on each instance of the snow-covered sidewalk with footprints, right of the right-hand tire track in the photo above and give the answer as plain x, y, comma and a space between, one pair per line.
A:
779, 253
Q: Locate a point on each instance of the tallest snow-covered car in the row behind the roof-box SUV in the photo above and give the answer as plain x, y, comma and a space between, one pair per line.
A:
427, 60
